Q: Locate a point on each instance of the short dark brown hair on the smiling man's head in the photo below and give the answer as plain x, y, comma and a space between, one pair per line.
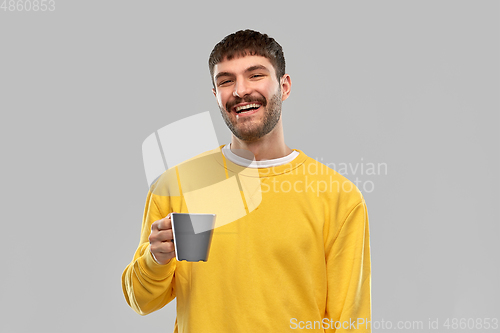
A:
248, 42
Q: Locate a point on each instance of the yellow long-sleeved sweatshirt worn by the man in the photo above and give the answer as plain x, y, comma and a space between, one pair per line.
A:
296, 259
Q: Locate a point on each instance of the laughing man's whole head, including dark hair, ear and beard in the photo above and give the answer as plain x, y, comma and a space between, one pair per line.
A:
248, 75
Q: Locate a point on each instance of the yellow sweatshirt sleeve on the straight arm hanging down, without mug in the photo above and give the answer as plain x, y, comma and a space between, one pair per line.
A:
349, 273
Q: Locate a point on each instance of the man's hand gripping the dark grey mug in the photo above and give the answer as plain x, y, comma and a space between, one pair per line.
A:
162, 246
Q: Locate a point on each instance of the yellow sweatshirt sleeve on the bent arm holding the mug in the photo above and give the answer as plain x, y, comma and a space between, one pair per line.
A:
147, 285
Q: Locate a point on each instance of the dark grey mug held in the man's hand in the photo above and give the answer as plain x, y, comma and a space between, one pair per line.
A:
189, 245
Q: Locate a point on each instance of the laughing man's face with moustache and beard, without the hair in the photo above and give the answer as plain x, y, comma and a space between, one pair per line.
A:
249, 95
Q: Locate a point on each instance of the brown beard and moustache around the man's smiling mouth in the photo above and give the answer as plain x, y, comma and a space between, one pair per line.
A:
247, 129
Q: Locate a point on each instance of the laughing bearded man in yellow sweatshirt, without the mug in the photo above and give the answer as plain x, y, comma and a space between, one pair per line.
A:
299, 260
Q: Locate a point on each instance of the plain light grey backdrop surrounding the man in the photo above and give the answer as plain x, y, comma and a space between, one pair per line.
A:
413, 84
